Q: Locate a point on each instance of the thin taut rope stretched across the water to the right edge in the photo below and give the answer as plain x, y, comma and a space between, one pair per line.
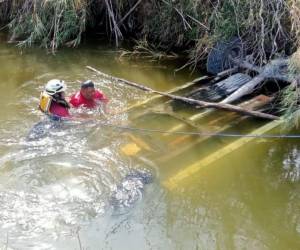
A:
203, 134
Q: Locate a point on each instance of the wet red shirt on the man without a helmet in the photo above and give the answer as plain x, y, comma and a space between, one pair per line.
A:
78, 100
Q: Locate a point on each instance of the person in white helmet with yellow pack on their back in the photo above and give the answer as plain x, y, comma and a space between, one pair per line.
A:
52, 101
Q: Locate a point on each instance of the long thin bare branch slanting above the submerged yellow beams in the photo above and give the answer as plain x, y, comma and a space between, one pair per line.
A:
203, 104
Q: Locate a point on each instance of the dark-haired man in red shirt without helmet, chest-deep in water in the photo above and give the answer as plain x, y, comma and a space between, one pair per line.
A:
88, 97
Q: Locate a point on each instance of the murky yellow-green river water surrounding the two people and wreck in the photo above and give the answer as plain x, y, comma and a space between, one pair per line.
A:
56, 191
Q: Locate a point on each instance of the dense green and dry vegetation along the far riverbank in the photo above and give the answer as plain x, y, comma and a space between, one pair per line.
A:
268, 28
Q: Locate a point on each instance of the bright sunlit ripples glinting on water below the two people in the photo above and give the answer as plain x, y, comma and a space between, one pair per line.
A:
59, 179
